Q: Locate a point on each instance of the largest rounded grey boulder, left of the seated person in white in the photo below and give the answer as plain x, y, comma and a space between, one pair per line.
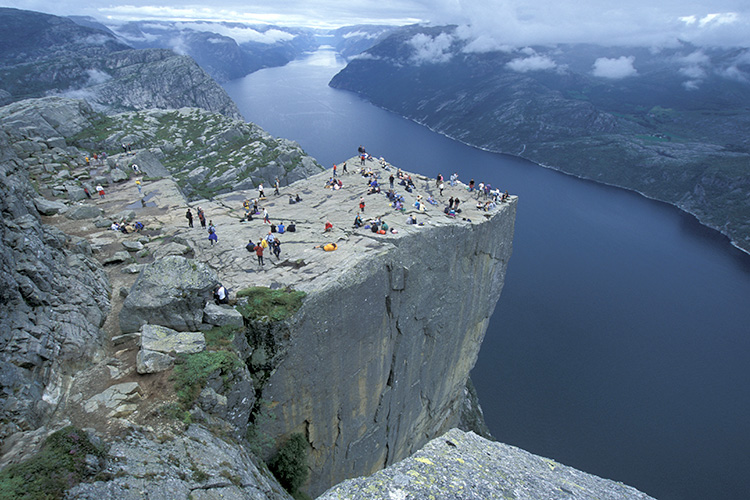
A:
171, 292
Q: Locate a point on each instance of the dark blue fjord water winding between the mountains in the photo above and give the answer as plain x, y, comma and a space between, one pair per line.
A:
621, 342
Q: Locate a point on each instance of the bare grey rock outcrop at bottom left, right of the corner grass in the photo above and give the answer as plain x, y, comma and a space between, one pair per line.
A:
195, 466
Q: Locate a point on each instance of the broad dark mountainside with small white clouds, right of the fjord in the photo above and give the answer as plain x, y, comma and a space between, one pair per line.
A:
671, 124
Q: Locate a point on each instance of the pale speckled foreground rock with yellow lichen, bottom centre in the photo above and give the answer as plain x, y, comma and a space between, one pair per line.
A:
465, 466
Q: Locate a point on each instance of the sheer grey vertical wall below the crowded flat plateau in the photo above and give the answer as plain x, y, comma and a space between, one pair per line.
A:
380, 355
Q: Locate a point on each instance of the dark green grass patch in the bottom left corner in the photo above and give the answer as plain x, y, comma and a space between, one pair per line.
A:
59, 465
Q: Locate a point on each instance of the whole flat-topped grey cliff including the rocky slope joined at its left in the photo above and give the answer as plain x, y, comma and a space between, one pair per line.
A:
370, 365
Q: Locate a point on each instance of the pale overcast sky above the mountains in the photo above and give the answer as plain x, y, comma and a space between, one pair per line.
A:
511, 22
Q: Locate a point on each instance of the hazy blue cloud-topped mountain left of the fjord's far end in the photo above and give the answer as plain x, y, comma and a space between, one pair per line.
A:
225, 50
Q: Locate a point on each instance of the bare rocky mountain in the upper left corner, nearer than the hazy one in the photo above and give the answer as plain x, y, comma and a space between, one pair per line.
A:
41, 54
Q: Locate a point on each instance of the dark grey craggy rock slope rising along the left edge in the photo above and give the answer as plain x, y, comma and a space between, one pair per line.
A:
54, 296
